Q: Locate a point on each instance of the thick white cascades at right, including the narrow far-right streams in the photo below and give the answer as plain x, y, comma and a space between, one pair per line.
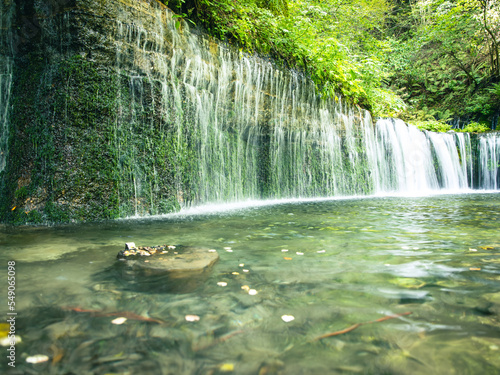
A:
408, 160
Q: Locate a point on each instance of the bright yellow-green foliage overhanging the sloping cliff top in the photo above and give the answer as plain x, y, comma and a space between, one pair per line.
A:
340, 44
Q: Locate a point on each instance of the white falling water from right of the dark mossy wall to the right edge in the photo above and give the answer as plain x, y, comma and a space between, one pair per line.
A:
250, 131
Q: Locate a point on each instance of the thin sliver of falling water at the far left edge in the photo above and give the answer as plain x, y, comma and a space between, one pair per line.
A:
6, 66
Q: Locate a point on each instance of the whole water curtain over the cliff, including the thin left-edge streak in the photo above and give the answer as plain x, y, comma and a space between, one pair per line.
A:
187, 120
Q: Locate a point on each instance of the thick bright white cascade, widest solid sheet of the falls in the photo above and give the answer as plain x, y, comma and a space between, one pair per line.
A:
410, 160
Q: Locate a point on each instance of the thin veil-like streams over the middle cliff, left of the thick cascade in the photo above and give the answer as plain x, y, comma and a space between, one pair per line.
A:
237, 126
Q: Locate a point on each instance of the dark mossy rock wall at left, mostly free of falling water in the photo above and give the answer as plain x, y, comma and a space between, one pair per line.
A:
78, 123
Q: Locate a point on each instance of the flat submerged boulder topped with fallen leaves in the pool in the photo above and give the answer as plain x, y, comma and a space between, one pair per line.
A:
167, 267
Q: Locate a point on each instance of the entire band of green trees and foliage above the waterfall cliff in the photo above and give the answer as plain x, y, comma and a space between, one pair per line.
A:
416, 59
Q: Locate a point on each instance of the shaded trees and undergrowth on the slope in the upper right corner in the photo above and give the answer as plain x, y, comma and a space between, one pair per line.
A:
444, 58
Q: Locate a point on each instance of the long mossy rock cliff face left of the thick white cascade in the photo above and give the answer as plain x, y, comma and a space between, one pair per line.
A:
113, 108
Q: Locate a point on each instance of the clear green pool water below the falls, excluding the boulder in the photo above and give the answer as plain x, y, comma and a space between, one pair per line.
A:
382, 256
